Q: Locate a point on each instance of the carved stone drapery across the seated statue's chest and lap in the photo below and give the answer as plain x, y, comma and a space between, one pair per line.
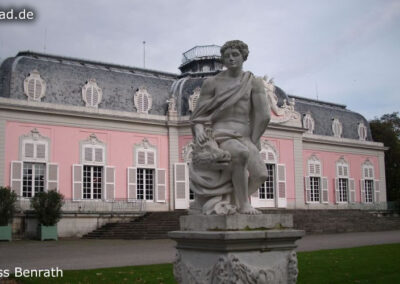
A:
213, 188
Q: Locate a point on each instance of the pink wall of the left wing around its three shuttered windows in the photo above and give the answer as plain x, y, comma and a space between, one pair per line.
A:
65, 151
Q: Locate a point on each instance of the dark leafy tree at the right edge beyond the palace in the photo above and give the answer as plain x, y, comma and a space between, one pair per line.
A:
387, 130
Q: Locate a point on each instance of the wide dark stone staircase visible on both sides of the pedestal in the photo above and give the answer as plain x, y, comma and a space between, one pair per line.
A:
156, 225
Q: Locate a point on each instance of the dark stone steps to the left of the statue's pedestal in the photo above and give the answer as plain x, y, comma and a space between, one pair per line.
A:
152, 225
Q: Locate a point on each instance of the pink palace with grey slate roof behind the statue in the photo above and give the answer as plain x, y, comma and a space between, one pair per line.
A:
116, 140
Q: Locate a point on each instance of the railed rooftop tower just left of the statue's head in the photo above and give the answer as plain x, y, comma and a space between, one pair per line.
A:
201, 59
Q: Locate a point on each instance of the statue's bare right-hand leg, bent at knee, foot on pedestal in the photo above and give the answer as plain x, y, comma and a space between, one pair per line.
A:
240, 178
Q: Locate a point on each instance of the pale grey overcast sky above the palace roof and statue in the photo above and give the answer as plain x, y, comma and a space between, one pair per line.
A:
343, 51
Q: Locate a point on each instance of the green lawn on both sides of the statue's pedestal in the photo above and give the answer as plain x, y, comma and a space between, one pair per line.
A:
371, 264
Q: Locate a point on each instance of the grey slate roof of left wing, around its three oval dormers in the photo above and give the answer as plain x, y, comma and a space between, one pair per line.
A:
65, 78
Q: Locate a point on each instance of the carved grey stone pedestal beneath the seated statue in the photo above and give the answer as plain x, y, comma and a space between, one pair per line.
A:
228, 250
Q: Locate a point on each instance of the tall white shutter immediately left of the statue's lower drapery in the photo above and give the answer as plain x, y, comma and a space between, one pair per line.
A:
181, 186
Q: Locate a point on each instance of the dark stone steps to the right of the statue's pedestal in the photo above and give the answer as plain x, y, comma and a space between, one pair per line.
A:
342, 221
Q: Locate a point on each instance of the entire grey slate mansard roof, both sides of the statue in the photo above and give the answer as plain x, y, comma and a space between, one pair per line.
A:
65, 78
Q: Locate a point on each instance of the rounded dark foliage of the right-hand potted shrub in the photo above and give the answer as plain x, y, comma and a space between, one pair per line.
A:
47, 207
